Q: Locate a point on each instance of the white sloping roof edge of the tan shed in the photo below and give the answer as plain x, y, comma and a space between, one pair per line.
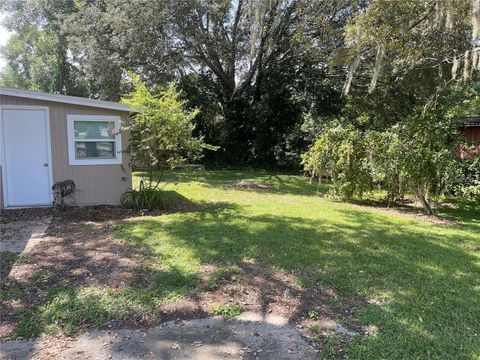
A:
65, 99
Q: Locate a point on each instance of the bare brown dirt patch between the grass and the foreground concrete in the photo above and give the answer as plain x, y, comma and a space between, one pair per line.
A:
314, 309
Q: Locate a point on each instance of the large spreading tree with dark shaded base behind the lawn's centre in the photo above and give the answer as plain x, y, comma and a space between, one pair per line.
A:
258, 62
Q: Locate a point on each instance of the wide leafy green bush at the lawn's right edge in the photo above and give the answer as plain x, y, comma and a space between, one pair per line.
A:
418, 155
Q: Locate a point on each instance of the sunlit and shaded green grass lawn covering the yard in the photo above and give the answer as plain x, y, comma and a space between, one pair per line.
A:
415, 283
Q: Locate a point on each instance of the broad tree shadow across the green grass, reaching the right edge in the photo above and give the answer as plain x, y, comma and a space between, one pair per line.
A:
421, 280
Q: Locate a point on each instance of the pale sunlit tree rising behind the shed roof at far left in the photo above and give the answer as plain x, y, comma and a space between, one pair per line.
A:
37, 53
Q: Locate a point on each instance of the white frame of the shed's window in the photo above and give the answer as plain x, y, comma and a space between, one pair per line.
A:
93, 161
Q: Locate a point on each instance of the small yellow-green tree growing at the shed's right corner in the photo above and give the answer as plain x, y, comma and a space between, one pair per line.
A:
161, 129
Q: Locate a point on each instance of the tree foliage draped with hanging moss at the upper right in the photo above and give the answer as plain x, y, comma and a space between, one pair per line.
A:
411, 42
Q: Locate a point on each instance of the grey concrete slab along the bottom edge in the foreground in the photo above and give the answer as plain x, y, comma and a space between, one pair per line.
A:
252, 336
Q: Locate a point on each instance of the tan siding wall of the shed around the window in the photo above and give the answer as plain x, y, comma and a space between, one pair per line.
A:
96, 184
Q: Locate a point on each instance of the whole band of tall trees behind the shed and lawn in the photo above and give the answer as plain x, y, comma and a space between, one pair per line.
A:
268, 76
